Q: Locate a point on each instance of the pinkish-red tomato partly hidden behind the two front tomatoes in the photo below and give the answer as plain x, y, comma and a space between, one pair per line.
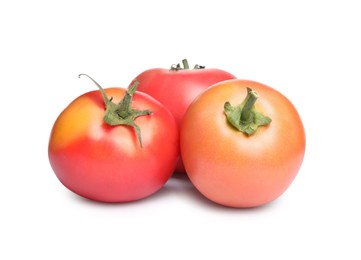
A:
177, 87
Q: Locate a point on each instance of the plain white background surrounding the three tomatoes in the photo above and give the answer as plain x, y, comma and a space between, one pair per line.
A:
308, 50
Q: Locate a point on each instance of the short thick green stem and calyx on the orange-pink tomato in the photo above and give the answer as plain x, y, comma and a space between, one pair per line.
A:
244, 117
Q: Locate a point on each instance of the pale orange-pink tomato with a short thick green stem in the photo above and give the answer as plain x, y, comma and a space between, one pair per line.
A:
239, 152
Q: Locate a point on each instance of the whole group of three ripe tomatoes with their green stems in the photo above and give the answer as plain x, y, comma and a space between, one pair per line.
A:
240, 142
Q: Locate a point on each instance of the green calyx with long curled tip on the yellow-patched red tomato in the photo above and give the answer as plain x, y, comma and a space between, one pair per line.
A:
122, 113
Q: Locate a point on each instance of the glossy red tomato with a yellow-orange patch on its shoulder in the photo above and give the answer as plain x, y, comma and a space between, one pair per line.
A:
116, 149
